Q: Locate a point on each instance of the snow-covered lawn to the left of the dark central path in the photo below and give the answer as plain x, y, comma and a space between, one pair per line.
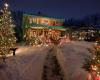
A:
27, 66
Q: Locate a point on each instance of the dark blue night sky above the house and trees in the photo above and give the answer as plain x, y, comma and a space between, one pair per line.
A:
58, 8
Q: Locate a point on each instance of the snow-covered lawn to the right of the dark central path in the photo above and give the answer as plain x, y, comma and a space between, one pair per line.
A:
71, 57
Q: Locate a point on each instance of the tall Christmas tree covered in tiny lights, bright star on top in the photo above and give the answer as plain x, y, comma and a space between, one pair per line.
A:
7, 37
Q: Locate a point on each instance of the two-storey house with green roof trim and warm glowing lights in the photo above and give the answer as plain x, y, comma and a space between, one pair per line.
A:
41, 29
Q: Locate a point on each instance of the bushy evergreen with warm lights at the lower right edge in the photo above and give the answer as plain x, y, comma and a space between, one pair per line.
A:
93, 64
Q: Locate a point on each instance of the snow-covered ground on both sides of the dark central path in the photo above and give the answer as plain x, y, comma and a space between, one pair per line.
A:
29, 61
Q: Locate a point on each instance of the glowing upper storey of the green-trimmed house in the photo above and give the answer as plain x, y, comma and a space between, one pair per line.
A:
41, 19
